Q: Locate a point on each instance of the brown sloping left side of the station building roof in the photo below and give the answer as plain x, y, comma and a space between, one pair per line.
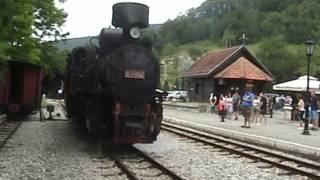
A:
209, 62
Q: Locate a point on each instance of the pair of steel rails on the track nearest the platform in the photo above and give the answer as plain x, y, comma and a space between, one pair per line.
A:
315, 175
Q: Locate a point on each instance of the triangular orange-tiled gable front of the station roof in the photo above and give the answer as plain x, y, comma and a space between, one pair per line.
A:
242, 68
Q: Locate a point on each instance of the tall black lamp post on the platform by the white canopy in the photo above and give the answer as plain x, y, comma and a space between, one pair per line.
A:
309, 47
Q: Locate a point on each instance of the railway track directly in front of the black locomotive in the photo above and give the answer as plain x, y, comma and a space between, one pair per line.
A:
138, 165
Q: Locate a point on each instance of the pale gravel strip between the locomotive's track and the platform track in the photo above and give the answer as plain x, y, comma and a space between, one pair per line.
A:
194, 161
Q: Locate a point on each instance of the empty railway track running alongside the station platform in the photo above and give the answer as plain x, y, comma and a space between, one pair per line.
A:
288, 163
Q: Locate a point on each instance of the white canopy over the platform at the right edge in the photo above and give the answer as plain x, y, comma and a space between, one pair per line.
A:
299, 84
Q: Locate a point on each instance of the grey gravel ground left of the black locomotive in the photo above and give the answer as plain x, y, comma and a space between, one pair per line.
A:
52, 150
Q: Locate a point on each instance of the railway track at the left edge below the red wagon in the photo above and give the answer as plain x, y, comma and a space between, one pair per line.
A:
7, 128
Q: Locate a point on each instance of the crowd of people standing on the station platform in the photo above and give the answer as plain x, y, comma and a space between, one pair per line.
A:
254, 107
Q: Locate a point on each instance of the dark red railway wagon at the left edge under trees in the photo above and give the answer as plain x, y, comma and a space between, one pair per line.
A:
20, 91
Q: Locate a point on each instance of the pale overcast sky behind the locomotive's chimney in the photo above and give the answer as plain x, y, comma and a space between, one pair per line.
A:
88, 17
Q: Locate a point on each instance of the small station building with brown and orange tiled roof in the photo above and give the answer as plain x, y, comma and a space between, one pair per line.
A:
225, 71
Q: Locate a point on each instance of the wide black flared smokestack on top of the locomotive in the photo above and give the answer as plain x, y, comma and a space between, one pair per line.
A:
128, 15
